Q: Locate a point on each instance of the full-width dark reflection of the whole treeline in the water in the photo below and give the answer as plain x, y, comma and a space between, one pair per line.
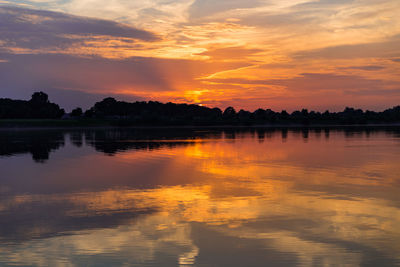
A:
111, 141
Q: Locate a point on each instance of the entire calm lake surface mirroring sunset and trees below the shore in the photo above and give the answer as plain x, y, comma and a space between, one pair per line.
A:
200, 198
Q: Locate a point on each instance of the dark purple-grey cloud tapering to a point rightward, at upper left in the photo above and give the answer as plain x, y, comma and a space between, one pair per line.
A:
36, 29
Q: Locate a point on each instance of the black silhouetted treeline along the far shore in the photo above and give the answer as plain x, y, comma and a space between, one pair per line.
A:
111, 112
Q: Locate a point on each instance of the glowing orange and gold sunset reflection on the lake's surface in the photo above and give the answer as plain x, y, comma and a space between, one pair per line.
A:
330, 199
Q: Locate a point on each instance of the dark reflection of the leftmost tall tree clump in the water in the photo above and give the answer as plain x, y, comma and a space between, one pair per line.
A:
37, 143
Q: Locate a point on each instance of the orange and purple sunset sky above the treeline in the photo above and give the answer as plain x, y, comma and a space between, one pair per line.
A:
278, 54
